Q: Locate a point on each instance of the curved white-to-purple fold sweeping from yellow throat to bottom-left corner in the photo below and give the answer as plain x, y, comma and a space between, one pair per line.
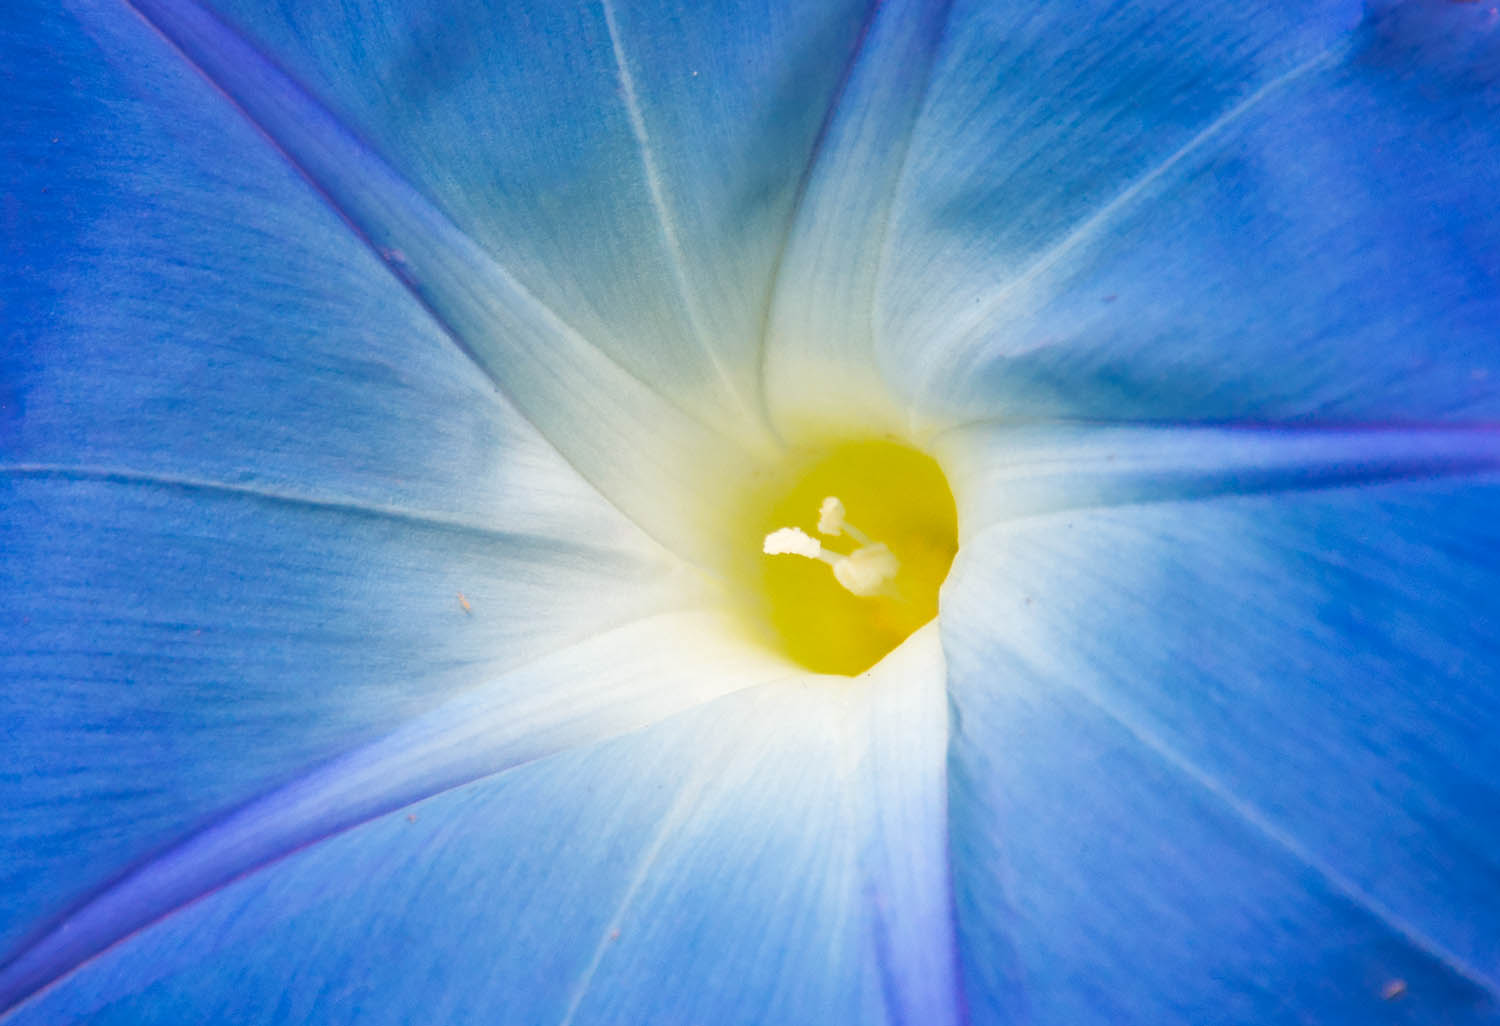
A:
608, 686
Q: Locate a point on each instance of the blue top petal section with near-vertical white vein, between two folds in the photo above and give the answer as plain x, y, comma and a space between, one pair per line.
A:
632, 164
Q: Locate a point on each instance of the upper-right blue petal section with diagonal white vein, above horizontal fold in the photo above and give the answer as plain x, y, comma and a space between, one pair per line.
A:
1177, 211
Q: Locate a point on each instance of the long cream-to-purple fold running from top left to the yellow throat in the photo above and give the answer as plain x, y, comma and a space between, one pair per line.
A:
583, 403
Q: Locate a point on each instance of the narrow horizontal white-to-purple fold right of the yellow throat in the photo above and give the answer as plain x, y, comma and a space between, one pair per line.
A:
1006, 473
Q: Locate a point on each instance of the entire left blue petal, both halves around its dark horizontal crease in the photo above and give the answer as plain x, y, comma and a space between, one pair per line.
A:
256, 509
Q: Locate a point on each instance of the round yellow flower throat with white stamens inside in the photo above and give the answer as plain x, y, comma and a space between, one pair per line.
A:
856, 541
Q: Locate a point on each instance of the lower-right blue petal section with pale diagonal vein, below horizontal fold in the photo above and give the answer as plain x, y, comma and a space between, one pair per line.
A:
1232, 760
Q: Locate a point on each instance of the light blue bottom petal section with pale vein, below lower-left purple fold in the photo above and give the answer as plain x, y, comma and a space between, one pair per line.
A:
697, 872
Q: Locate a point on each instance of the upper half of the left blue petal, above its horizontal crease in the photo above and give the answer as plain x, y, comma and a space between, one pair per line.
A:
179, 302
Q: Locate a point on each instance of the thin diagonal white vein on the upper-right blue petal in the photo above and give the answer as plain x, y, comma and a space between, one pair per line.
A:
961, 334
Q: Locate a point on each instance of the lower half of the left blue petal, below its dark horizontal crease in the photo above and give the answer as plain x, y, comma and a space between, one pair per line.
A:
172, 650
